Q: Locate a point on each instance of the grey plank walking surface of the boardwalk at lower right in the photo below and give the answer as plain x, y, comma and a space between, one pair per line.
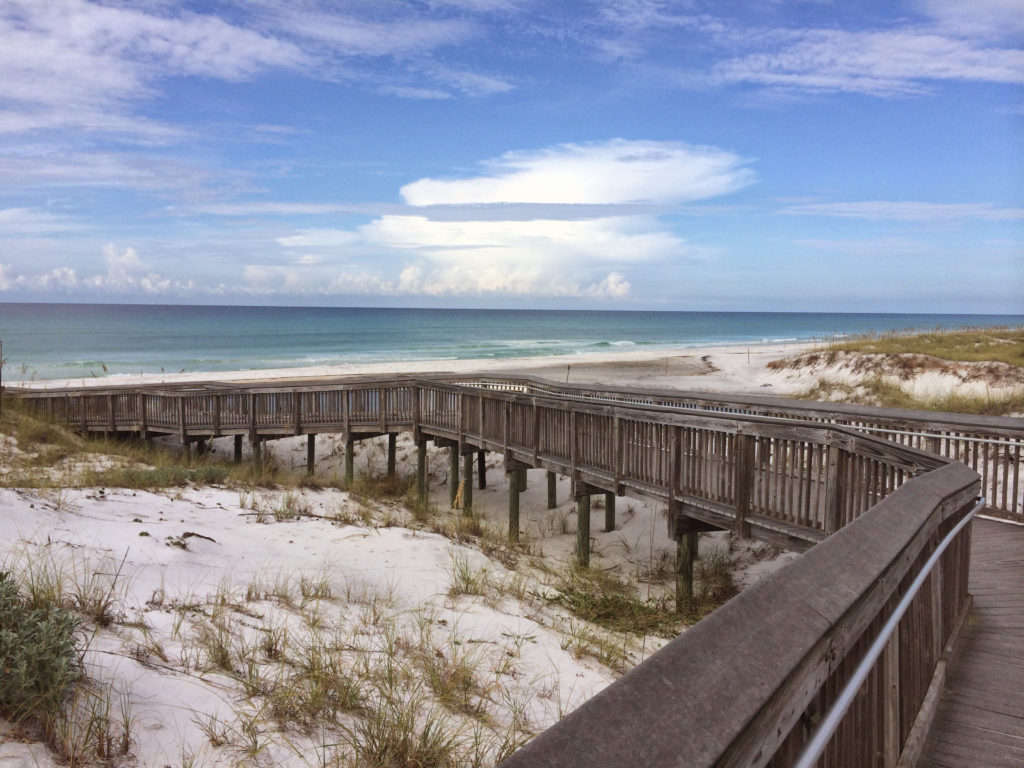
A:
980, 720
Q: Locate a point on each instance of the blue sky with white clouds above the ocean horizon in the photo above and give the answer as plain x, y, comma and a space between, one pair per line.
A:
749, 155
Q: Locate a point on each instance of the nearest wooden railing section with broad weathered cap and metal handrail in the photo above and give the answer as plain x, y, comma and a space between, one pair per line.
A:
748, 686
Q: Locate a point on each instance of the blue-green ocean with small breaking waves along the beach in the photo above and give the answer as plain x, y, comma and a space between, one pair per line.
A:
60, 342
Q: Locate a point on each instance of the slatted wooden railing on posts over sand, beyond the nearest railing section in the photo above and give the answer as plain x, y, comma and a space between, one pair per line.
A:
786, 483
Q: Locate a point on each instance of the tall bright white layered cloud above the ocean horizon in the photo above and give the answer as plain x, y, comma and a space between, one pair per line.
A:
585, 254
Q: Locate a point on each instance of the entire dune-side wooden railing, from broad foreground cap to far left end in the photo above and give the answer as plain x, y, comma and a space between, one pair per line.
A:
747, 686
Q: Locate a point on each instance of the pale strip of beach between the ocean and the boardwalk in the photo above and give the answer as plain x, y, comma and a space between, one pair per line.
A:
738, 368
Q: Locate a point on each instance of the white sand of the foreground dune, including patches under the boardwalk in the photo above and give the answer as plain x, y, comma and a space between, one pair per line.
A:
528, 649
